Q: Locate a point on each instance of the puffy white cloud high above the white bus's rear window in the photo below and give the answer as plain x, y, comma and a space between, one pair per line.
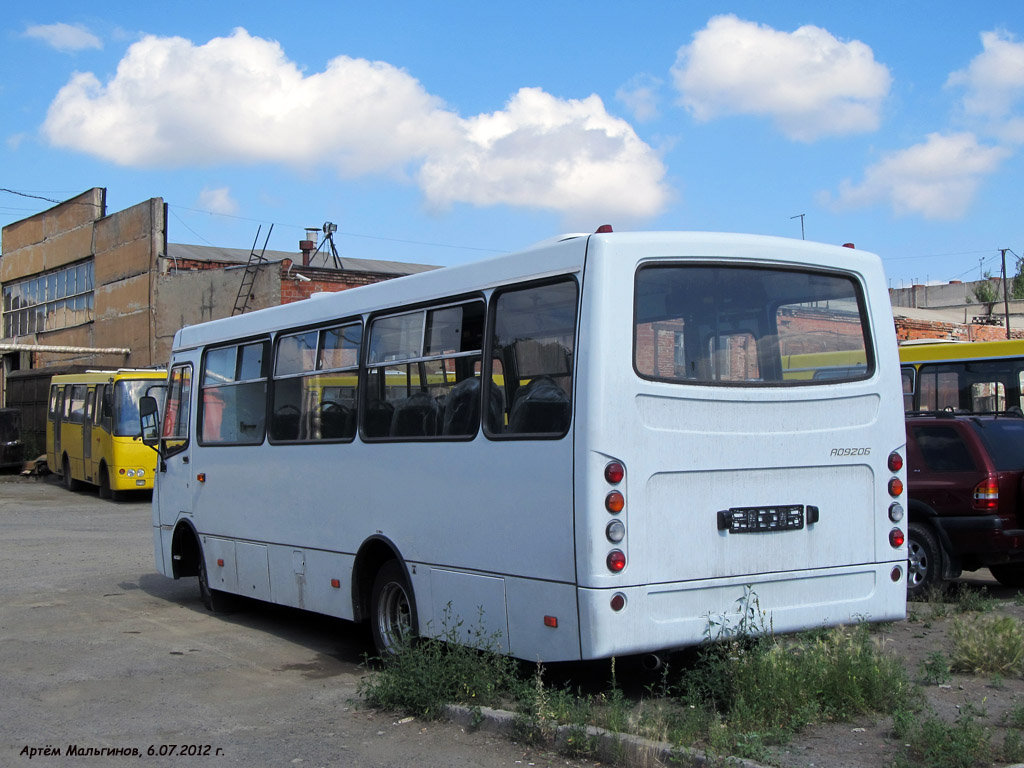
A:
809, 83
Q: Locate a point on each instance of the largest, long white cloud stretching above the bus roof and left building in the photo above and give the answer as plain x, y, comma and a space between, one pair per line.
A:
240, 100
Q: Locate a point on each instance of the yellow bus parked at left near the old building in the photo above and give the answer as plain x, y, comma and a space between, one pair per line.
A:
93, 431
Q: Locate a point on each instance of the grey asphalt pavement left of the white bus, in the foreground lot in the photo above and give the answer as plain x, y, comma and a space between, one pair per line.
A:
105, 662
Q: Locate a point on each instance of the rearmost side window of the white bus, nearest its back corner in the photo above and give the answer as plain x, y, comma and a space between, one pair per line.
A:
534, 338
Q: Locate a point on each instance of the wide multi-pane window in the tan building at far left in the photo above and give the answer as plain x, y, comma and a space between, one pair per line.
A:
48, 303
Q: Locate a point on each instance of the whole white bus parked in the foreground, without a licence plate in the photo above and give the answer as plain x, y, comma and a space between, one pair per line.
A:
582, 451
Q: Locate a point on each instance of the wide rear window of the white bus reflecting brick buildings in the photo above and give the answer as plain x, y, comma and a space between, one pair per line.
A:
749, 326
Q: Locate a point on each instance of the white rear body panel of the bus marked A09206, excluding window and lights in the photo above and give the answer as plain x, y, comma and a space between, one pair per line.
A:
693, 451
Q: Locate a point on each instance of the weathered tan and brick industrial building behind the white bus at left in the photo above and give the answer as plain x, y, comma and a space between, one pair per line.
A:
87, 289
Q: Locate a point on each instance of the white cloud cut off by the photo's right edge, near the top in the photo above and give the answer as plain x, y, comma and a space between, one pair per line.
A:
995, 83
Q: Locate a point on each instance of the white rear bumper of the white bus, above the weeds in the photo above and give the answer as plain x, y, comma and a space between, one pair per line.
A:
684, 614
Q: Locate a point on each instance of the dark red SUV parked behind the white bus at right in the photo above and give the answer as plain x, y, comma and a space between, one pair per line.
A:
965, 497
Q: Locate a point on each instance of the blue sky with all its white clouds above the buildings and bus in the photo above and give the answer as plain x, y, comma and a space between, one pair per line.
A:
447, 133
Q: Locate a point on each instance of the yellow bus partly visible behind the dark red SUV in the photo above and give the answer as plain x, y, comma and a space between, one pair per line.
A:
968, 376
